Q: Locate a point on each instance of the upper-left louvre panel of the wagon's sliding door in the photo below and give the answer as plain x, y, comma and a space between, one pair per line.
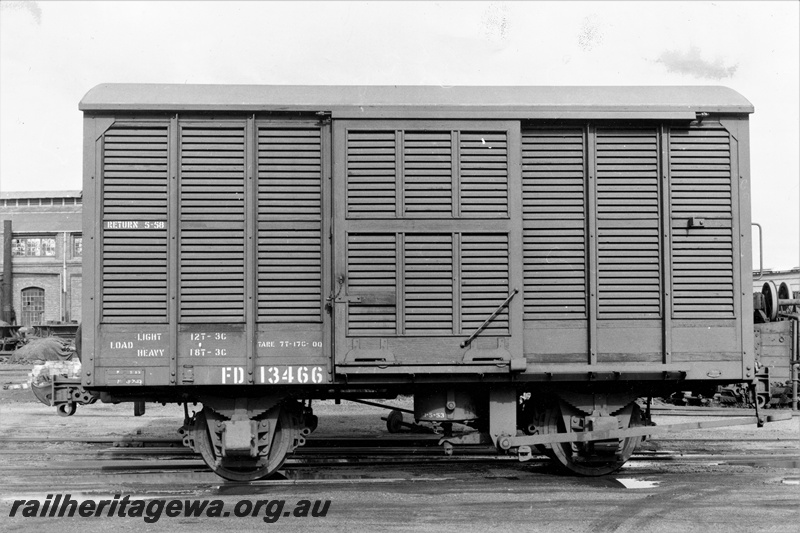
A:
371, 170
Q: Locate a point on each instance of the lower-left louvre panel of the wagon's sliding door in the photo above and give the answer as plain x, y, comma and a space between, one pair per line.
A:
372, 270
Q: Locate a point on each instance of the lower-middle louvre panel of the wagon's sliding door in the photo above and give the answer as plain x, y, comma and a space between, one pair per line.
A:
428, 284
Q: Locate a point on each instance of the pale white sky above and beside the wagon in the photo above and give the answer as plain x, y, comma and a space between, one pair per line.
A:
52, 53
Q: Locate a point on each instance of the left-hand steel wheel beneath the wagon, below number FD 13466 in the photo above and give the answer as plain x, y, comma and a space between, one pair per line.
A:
246, 469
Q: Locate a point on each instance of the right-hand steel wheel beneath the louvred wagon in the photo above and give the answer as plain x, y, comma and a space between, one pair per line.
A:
591, 458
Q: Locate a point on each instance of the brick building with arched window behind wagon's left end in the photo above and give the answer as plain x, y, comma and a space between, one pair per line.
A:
46, 255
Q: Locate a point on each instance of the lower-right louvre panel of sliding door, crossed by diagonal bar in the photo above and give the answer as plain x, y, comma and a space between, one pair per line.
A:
484, 281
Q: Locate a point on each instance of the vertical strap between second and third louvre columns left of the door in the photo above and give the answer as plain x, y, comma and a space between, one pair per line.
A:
250, 244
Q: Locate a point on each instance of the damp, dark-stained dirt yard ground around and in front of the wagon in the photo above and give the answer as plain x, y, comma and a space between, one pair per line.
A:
727, 479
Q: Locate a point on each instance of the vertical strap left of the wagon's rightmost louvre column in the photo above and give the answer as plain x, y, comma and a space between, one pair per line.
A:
665, 191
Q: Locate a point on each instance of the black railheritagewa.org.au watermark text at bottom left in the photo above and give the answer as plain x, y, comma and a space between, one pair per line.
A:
151, 510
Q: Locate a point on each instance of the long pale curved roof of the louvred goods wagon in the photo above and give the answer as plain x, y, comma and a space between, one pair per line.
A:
373, 100
